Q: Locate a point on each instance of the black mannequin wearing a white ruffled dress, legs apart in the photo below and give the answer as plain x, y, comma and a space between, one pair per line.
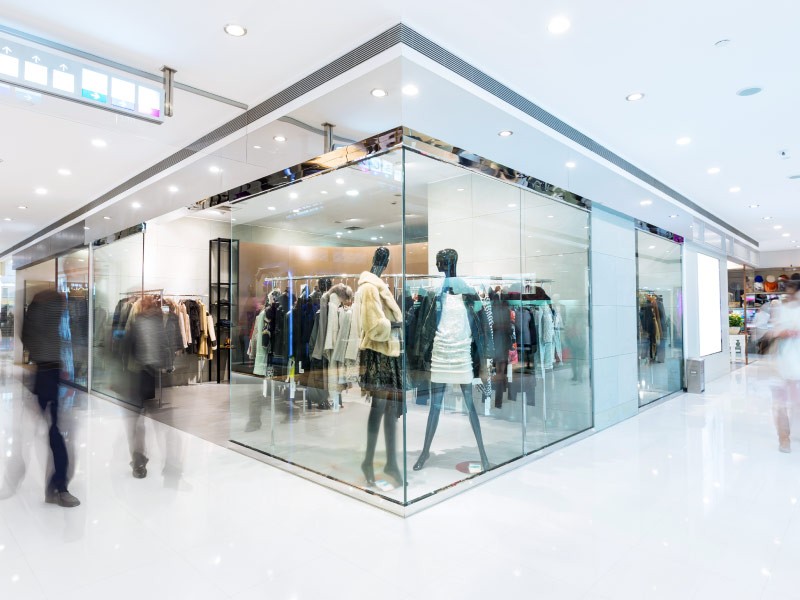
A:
446, 262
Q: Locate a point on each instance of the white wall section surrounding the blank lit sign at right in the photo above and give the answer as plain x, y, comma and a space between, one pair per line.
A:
716, 365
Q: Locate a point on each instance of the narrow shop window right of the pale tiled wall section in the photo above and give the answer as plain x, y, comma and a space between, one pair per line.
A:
660, 316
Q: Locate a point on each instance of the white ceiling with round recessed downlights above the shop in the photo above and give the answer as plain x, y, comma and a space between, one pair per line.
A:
665, 50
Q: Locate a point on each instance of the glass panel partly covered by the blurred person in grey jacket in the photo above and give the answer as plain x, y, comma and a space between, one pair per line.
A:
116, 284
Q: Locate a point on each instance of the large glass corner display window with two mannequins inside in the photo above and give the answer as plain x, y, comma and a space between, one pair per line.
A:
408, 320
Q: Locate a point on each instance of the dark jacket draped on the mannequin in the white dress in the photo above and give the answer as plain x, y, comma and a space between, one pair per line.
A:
427, 322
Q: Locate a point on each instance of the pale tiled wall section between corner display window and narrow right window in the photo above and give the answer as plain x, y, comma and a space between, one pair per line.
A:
614, 318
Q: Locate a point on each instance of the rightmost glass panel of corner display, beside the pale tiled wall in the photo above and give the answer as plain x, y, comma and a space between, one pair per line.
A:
555, 301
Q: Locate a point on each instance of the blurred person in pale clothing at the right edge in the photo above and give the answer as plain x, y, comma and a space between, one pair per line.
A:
785, 336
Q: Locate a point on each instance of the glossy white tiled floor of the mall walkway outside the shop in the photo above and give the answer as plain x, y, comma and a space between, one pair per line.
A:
689, 500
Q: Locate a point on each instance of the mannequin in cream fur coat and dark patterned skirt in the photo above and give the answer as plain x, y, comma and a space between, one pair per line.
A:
381, 319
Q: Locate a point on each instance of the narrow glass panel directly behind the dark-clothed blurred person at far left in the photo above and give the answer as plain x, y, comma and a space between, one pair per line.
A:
73, 282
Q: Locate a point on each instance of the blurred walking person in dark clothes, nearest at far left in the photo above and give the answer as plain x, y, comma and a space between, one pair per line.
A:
40, 335
